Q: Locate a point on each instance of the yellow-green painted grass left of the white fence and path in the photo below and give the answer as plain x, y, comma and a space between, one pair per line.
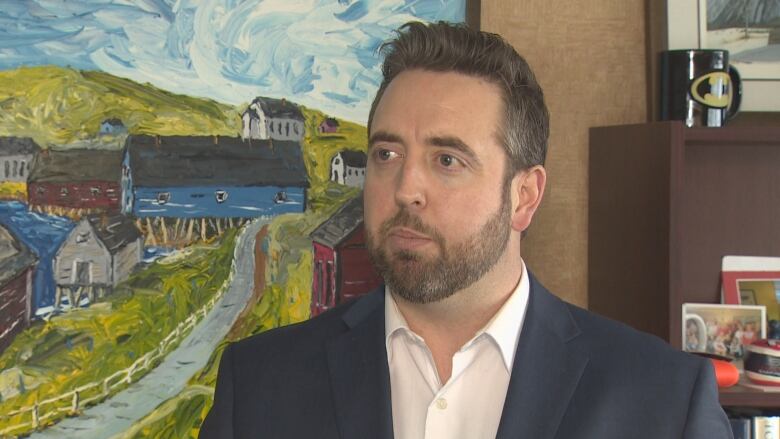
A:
88, 345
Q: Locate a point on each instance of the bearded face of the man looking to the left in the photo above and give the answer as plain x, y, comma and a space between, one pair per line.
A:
437, 211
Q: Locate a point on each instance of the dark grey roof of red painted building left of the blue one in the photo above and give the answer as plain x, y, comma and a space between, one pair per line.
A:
76, 165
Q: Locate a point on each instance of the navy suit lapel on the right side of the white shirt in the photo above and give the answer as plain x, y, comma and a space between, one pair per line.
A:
546, 369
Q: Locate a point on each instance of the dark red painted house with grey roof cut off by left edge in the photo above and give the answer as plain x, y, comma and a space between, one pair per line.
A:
17, 265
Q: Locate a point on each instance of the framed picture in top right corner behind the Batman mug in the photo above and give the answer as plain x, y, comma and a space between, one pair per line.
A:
749, 32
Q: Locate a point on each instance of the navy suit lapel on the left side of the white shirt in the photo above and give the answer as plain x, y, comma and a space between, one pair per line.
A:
359, 374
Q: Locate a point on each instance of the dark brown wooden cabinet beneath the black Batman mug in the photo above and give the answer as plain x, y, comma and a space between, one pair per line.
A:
666, 203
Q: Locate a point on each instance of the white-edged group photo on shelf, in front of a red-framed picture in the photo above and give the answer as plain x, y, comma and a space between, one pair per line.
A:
721, 329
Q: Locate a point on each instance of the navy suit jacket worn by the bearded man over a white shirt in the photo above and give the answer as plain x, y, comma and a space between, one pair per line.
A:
575, 375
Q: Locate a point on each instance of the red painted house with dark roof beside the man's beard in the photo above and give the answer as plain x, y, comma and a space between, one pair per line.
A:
341, 267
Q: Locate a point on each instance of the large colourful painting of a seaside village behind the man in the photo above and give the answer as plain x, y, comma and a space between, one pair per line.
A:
174, 175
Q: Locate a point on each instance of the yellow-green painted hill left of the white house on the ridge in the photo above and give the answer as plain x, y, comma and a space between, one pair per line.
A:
58, 106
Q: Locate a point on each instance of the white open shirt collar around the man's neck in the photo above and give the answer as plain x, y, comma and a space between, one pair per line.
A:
504, 328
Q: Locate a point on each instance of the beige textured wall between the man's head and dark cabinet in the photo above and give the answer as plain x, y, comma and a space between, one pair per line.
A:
590, 59
